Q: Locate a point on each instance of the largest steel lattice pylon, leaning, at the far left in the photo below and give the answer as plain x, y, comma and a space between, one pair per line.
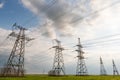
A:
15, 63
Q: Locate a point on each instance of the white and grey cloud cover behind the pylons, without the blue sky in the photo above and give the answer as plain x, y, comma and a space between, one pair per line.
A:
37, 56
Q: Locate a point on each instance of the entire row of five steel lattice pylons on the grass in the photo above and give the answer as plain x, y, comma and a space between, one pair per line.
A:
15, 63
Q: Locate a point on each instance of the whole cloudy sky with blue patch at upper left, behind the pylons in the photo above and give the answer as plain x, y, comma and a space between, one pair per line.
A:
96, 22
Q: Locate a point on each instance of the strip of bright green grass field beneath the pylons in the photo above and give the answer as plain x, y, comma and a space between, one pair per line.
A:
44, 77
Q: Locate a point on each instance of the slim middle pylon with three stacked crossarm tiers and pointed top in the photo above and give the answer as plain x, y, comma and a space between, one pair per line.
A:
81, 66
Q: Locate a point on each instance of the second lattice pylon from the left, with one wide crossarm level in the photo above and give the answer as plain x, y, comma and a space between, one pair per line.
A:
58, 64
